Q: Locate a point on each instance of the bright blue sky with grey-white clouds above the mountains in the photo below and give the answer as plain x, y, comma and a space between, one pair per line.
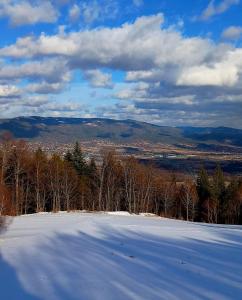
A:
167, 62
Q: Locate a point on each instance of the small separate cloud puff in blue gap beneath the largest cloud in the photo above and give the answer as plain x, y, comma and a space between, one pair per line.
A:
98, 79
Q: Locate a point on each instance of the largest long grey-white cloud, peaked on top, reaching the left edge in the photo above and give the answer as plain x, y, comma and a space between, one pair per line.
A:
146, 46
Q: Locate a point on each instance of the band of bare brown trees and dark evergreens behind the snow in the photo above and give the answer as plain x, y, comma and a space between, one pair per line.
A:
32, 181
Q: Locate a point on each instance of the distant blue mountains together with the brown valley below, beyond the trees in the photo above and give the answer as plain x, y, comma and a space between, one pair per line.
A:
179, 149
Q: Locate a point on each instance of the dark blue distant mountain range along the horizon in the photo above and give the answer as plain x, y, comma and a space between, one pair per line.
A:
68, 130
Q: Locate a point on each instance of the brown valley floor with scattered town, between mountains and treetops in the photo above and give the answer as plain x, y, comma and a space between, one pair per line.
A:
162, 155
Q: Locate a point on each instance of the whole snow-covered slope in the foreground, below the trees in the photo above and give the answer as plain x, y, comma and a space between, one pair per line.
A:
107, 256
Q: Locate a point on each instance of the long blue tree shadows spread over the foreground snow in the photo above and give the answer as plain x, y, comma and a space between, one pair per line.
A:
131, 265
